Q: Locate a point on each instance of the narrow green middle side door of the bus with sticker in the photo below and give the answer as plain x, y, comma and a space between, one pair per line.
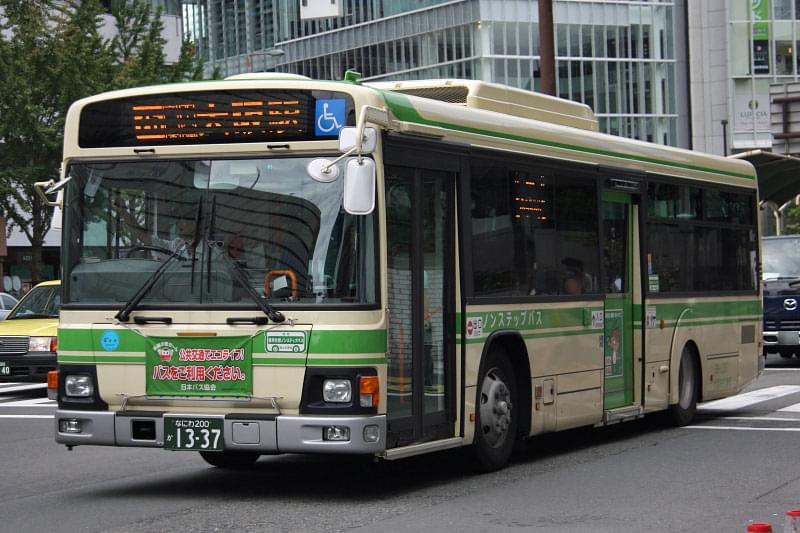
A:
617, 244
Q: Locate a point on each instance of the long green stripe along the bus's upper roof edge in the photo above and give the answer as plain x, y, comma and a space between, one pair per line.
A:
402, 108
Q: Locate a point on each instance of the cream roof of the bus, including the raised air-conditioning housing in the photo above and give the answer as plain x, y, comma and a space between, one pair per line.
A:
484, 116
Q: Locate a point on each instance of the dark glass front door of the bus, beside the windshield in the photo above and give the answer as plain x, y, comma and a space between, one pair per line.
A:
419, 216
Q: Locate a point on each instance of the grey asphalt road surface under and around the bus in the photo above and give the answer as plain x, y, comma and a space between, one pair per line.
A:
737, 463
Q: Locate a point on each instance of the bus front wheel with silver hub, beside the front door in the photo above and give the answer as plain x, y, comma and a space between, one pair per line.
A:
496, 419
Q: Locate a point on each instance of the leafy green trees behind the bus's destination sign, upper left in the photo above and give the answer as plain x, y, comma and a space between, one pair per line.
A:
51, 54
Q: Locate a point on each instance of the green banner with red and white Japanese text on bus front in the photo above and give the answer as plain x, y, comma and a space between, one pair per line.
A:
199, 366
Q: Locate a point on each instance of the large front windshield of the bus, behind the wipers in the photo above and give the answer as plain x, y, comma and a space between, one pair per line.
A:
286, 232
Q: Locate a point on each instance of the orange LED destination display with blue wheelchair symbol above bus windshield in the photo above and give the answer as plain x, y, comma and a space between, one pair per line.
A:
211, 117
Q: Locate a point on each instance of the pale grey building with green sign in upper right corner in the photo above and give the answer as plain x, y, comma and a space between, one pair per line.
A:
738, 49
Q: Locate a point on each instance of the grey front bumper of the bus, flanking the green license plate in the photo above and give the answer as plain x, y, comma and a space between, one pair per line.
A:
267, 434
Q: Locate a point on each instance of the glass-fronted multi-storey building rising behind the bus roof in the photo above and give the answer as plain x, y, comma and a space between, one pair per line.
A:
620, 57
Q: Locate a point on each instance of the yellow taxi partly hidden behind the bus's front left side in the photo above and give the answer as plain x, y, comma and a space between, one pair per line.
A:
28, 336
